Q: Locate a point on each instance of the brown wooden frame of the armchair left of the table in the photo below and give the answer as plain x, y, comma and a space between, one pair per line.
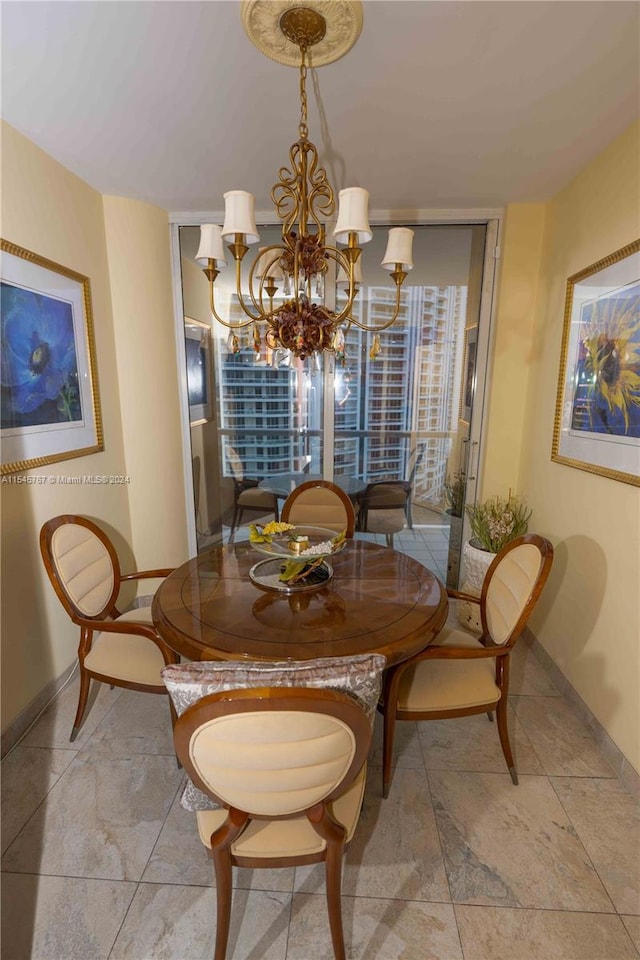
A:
106, 620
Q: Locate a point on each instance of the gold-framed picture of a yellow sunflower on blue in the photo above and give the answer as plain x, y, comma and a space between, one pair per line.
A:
597, 422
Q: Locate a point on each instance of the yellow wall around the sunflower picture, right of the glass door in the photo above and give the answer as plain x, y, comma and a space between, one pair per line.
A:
589, 615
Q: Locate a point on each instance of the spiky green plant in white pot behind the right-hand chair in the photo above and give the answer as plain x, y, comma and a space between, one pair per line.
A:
494, 523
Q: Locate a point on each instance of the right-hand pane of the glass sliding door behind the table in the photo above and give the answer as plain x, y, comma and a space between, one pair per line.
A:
403, 397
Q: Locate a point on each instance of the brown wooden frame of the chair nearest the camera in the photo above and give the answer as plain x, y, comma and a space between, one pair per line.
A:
270, 699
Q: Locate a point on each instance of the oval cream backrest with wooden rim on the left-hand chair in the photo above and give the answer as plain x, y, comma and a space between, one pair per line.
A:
82, 565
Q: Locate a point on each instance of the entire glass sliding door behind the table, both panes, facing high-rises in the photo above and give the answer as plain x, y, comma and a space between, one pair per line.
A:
398, 406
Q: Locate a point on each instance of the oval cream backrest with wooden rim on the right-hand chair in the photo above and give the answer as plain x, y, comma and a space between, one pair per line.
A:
512, 586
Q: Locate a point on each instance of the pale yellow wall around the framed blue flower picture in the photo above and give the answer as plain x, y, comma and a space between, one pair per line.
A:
51, 212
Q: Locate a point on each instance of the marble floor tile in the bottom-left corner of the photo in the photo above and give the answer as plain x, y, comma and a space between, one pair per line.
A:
61, 918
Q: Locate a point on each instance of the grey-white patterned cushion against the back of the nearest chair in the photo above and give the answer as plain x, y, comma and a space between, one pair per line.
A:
358, 676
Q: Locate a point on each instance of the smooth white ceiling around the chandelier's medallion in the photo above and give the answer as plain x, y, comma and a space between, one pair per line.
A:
439, 104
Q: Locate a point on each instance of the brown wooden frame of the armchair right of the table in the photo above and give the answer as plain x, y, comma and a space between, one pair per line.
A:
487, 648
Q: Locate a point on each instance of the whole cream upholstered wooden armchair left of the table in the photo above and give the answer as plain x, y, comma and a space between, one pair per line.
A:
121, 649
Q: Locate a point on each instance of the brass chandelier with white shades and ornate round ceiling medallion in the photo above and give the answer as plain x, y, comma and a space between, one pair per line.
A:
295, 270
